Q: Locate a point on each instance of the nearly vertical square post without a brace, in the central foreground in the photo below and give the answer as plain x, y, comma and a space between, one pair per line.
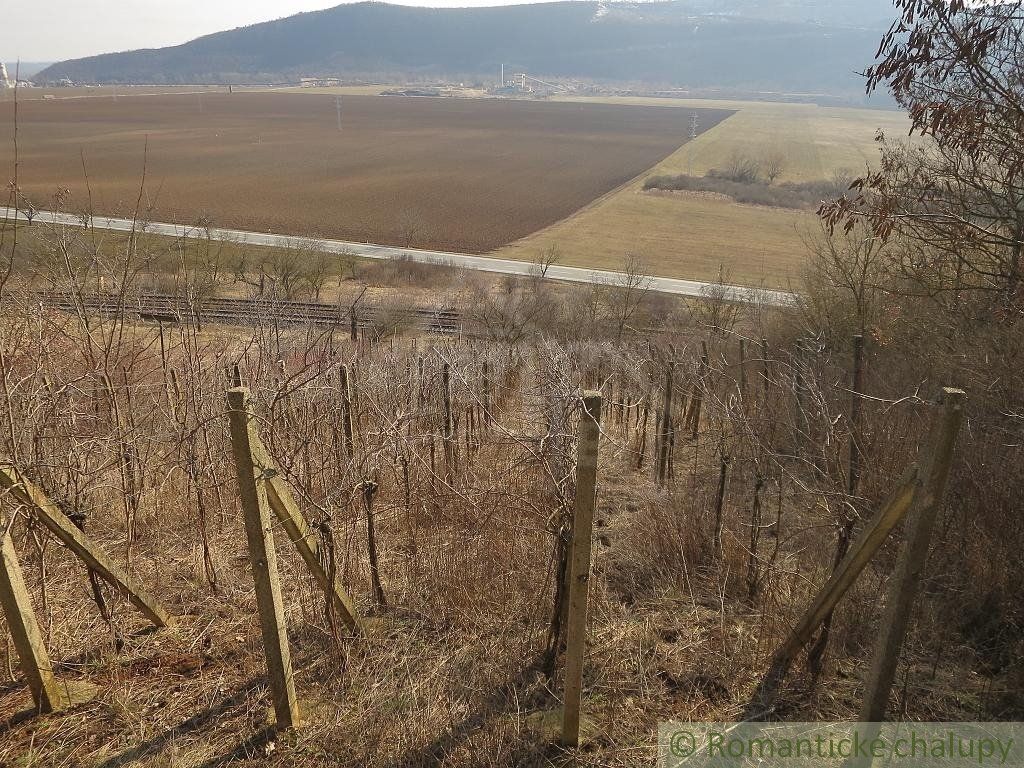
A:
583, 532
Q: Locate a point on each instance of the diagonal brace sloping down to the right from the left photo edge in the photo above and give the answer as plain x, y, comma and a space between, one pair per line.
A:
58, 524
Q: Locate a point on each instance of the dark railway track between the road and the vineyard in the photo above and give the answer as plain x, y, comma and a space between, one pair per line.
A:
156, 308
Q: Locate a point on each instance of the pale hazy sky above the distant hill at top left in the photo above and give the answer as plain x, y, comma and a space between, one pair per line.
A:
69, 29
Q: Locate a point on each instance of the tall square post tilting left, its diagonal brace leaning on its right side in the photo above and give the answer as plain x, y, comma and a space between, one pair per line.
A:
252, 488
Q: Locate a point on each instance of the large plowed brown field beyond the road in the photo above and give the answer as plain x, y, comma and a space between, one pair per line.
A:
450, 175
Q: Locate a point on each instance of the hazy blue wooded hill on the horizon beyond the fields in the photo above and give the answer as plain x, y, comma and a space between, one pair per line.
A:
808, 46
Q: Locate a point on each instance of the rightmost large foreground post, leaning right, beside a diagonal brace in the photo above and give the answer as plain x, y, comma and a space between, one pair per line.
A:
906, 580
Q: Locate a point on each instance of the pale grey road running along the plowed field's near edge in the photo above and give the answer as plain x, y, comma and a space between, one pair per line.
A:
483, 264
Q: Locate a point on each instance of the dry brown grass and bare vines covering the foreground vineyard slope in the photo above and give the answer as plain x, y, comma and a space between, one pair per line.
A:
449, 676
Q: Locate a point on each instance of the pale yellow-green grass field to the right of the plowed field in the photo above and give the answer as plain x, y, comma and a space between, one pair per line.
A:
697, 237
